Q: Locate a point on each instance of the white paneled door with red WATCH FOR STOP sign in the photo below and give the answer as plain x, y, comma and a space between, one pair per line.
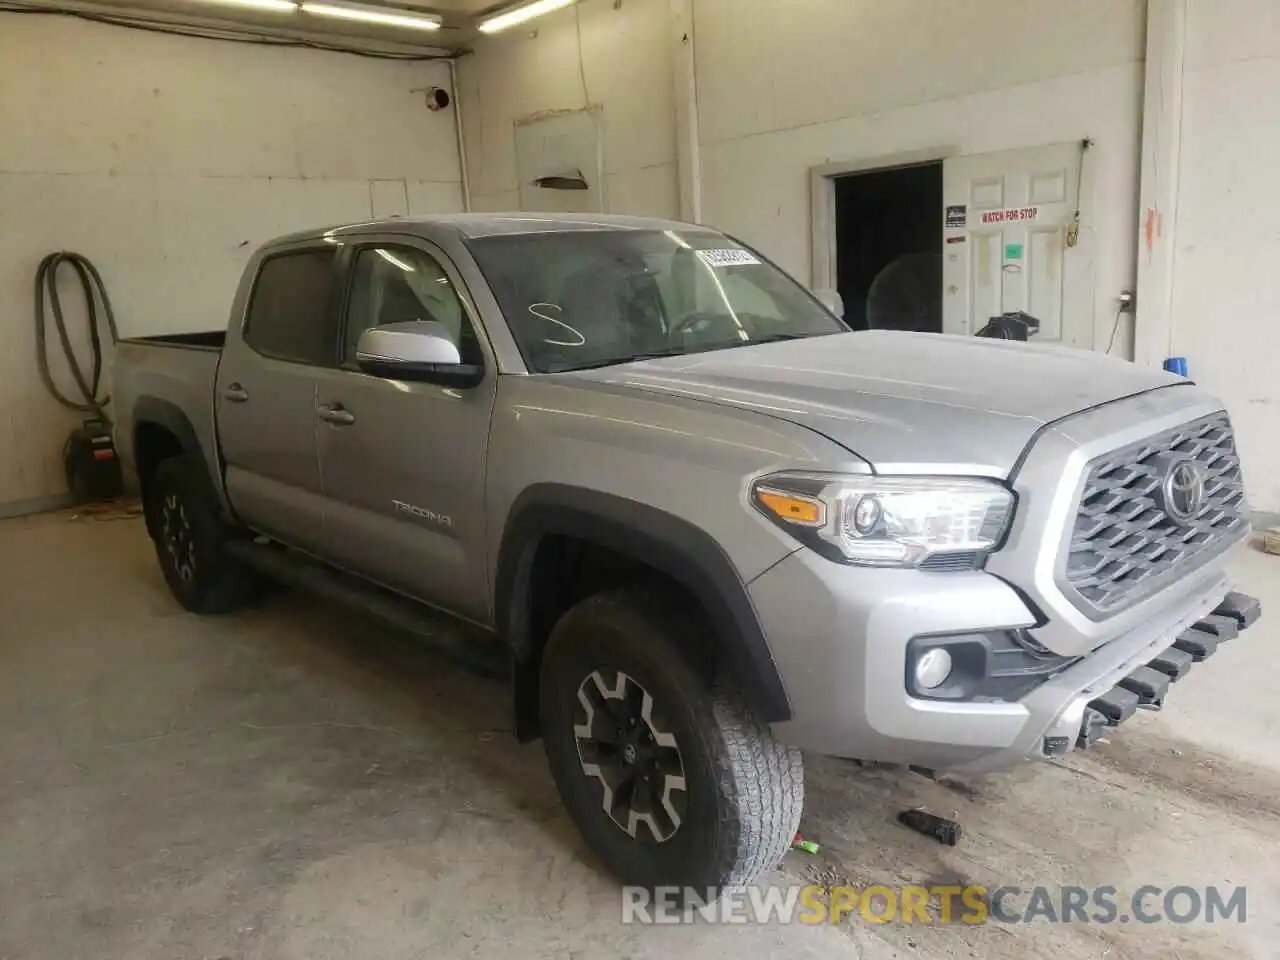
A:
1009, 245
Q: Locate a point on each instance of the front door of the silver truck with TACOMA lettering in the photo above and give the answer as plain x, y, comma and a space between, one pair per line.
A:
404, 463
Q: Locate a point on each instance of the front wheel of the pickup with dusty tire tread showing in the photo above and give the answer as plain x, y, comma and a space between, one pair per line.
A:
671, 780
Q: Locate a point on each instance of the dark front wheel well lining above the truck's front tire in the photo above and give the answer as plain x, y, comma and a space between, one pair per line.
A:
564, 573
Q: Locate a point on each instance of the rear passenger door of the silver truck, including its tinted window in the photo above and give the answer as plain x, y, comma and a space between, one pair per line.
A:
266, 399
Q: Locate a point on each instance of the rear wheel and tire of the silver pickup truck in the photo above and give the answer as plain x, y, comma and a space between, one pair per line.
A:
190, 537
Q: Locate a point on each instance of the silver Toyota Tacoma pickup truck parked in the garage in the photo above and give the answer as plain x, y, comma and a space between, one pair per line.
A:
701, 523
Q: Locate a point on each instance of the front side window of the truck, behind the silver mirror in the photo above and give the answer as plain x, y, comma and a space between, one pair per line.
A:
400, 285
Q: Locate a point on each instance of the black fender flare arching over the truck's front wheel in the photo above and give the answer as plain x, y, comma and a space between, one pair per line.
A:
659, 540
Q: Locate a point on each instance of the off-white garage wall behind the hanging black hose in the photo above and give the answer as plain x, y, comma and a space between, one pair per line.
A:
167, 162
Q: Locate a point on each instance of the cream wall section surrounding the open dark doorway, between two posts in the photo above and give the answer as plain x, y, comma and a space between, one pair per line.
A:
856, 80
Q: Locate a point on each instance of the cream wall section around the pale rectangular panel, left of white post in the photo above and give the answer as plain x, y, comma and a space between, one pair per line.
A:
623, 66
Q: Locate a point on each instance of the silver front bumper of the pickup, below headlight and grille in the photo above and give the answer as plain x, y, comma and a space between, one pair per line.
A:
840, 636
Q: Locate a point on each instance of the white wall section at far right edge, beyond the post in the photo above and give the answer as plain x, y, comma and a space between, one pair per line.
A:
1226, 312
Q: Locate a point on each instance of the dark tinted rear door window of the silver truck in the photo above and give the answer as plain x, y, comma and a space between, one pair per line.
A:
291, 314
